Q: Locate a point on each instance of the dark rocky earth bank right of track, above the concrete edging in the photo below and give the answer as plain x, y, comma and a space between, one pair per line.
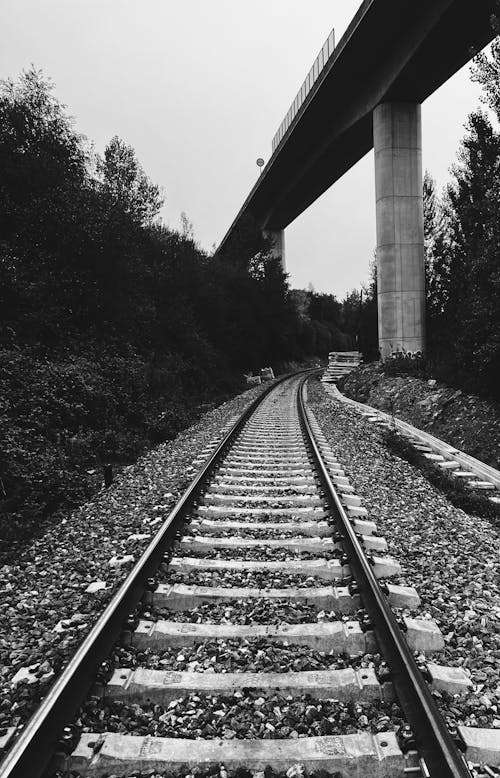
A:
466, 421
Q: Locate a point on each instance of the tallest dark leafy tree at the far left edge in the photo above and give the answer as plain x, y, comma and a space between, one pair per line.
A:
45, 190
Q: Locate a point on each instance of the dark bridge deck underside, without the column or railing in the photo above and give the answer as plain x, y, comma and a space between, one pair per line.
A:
393, 51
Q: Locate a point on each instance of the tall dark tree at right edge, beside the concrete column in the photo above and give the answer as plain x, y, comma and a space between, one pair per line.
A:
464, 283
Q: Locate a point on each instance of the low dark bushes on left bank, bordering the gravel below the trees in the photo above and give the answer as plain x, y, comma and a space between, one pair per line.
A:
63, 415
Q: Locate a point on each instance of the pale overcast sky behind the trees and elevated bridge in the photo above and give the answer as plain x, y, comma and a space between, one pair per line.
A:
198, 88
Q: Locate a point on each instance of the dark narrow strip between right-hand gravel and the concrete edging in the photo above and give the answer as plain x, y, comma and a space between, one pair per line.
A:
455, 491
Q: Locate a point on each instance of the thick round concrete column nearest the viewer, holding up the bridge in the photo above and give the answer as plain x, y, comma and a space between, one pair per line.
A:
397, 141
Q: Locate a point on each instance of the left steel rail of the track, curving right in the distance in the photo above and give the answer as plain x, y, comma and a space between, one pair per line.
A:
32, 752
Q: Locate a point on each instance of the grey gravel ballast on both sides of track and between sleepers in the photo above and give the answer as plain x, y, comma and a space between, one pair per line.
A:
450, 557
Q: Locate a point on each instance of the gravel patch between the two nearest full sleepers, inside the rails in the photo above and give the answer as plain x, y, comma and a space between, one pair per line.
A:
243, 714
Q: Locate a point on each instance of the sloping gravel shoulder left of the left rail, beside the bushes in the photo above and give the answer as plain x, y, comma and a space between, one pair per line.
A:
46, 611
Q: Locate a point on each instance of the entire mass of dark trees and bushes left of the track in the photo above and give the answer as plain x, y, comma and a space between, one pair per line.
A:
114, 329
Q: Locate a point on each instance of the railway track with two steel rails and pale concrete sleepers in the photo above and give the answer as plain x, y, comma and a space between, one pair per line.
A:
263, 637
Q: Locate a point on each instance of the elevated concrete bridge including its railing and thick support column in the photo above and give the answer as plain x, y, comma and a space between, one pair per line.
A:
366, 93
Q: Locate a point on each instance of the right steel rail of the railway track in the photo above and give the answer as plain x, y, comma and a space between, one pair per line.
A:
434, 741
